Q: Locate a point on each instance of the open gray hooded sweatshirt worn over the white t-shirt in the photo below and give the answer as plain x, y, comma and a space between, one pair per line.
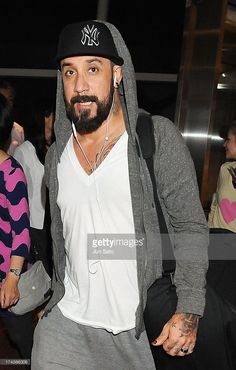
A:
179, 198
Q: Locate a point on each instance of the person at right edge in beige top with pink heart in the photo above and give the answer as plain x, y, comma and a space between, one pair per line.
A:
222, 224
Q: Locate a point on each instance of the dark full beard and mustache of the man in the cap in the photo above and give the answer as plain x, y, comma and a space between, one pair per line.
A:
83, 123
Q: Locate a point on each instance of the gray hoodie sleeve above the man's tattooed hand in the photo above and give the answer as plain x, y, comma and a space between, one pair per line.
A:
185, 217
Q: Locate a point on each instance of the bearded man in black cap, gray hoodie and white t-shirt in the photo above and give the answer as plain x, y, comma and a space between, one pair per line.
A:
99, 186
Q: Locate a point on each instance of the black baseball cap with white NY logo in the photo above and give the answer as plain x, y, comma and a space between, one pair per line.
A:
87, 38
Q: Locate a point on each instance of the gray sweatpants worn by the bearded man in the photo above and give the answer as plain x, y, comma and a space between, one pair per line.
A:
60, 343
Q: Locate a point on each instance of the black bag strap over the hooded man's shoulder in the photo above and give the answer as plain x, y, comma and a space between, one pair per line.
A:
145, 133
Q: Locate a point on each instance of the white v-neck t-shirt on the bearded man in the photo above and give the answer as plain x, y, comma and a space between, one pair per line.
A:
99, 292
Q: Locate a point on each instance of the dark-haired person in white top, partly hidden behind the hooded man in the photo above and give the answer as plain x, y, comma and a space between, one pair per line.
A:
31, 156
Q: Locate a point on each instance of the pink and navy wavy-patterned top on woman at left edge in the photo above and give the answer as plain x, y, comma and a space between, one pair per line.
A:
14, 214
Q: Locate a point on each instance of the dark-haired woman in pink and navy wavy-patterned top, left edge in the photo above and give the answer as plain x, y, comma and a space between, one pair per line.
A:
14, 237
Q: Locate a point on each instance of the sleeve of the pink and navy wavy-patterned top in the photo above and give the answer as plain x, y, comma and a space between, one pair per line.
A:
18, 208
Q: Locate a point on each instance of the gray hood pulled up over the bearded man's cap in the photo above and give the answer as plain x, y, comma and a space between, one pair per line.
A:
127, 91
